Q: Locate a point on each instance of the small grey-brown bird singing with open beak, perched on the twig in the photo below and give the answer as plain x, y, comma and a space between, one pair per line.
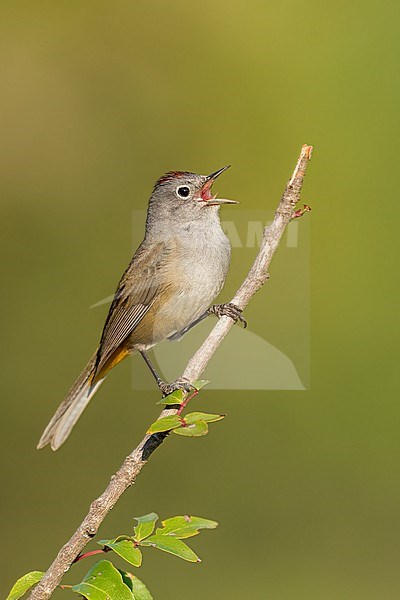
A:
173, 277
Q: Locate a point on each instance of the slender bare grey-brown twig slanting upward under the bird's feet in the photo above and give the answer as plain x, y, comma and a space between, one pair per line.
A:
134, 463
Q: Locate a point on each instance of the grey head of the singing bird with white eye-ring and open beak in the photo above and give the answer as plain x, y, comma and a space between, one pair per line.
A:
183, 197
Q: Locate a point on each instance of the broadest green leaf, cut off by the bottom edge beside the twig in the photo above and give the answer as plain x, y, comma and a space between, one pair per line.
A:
103, 582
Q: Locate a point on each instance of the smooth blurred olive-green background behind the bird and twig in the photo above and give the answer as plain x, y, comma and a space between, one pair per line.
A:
97, 100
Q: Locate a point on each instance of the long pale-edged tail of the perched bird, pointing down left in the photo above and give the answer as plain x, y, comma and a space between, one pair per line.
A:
71, 408
